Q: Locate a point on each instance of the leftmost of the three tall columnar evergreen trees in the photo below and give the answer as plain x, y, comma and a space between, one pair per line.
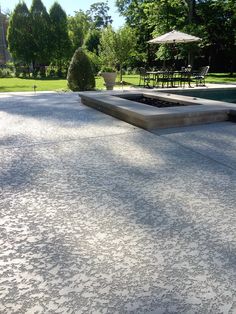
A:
19, 34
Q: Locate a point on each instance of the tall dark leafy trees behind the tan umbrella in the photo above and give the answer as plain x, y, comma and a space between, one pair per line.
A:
212, 20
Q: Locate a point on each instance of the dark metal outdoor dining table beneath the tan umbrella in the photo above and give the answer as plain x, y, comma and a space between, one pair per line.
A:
170, 77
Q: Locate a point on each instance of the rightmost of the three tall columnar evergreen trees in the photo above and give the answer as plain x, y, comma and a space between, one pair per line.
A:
61, 45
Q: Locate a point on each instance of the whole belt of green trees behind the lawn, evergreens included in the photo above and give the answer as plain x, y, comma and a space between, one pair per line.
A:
43, 43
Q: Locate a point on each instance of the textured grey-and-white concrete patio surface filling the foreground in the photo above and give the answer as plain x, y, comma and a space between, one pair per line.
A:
99, 216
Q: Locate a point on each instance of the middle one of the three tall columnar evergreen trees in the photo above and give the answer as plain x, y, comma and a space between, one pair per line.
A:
41, 33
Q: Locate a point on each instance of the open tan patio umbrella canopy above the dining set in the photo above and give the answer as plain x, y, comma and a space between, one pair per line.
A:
174, 37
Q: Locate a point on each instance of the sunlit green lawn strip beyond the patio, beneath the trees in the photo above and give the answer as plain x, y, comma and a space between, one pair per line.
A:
22, 85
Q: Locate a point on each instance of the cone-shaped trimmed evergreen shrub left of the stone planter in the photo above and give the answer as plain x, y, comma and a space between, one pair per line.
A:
80, 75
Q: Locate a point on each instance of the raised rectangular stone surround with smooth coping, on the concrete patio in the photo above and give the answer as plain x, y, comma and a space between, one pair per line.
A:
198, 111
